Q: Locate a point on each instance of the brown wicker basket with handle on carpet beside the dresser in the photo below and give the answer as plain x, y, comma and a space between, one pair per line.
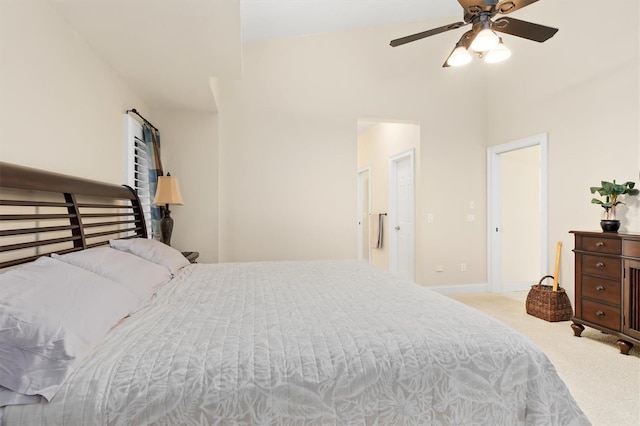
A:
549, 305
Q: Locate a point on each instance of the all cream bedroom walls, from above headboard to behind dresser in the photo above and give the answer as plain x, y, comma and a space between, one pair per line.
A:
287, 130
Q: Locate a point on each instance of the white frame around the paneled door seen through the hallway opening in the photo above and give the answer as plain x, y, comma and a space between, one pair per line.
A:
392, 214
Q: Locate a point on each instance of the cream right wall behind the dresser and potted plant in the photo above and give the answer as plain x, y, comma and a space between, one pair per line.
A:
582, 88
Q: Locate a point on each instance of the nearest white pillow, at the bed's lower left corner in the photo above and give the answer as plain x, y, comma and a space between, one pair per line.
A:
52, 314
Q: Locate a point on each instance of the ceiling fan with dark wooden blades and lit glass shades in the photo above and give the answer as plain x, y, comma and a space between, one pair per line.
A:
482, 37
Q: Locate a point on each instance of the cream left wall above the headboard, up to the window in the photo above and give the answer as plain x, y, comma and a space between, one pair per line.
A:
61, 106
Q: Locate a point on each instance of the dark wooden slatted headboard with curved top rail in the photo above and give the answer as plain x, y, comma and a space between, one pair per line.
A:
44, 212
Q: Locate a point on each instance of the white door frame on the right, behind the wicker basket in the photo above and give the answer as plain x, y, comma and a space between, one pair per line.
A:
494, 219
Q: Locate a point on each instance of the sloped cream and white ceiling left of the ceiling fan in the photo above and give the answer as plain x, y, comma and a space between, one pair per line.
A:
167, 50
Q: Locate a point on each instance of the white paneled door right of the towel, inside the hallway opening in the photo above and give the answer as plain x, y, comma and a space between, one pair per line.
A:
402, 215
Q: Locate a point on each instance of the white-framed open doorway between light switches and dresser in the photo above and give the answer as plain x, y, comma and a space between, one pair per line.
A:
517, 214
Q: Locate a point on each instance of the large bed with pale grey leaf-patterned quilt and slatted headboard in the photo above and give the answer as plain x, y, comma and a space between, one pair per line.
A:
288, 342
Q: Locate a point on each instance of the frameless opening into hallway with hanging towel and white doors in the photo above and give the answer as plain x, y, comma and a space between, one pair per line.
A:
386, 151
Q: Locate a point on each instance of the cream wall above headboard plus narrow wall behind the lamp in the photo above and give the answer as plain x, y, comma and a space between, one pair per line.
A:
61, 109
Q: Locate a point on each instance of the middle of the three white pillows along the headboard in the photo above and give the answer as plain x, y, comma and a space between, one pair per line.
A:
140, 276
